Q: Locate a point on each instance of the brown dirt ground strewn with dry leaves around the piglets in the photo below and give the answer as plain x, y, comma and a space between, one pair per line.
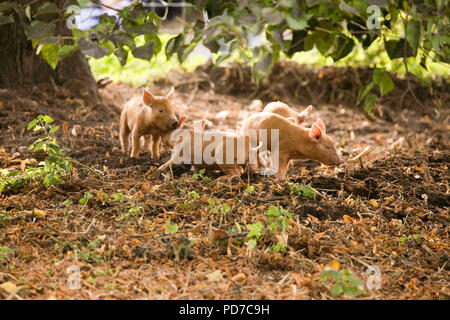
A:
391, 210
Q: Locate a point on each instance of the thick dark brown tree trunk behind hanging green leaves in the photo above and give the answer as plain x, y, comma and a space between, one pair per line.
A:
20, 66
